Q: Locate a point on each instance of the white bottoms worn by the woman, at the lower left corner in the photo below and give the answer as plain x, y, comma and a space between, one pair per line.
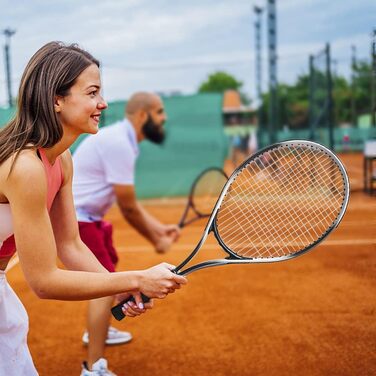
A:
15, 358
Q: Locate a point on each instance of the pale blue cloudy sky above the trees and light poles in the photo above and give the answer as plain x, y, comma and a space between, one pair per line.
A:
173, 45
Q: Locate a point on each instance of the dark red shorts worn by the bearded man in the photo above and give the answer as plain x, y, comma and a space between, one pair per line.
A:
98, 237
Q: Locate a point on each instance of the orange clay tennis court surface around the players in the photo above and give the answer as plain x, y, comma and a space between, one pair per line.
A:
313, 315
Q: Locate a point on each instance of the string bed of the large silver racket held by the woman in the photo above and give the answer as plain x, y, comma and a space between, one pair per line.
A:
281, 202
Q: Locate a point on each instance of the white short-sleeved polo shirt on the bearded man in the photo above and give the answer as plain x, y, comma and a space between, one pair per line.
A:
101, 160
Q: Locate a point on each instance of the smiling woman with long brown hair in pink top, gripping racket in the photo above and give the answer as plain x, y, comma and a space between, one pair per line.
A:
59, 99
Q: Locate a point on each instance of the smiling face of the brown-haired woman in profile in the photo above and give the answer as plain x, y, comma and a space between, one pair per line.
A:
80, 110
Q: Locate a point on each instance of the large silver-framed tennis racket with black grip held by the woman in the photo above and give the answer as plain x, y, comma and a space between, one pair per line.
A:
277, 205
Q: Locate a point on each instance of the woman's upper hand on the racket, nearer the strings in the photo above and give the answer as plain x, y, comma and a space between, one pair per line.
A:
158, 281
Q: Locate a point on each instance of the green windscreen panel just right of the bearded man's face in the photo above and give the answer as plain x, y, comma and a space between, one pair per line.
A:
195, 141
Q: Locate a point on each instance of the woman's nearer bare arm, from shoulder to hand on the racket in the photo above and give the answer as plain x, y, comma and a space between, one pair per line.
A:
26, 190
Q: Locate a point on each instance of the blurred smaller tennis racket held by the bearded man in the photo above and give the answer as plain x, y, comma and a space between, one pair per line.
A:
203, 195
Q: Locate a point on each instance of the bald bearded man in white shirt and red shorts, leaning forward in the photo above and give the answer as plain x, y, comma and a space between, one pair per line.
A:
104, 170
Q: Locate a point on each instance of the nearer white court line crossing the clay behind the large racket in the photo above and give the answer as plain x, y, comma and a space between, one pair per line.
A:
187, 247
